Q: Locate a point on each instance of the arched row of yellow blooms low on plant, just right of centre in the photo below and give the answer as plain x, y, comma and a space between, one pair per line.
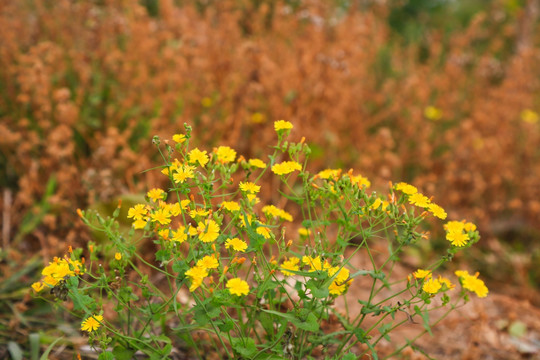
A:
341, 281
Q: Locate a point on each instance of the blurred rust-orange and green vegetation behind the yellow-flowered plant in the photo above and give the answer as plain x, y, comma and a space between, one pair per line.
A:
442, 94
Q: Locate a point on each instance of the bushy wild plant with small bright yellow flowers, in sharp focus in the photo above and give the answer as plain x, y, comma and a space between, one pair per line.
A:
260, 286
